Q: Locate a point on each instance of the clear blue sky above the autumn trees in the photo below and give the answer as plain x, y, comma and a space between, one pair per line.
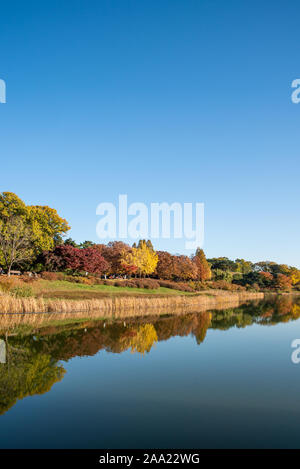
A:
173, 100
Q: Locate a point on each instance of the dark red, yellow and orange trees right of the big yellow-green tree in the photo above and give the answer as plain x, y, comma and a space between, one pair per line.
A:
119, 259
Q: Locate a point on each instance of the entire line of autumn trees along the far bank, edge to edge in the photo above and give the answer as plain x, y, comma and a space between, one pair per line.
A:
31, 238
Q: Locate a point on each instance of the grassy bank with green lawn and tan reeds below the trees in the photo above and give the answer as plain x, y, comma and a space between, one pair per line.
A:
48, 300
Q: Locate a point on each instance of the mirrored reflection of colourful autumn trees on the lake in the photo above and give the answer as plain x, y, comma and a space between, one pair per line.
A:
30, 363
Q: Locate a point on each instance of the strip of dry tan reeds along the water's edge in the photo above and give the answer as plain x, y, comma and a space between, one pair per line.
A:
38, 311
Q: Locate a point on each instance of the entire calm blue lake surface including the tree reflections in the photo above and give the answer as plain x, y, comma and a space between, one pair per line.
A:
208, 380
